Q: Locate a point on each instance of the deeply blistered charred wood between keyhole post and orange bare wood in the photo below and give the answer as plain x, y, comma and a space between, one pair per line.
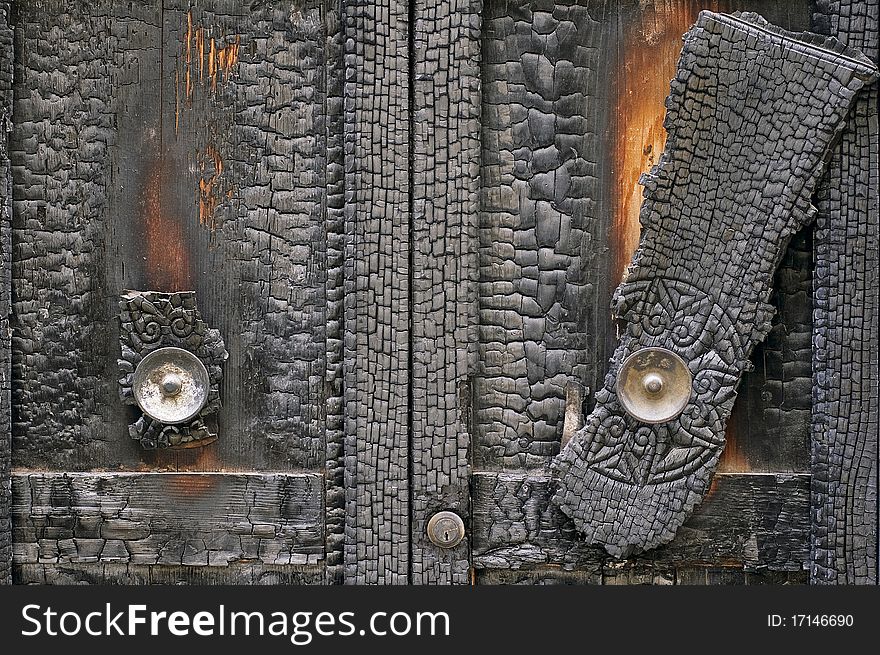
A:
543, 224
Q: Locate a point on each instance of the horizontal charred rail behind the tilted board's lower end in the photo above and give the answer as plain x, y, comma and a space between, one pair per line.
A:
751, 521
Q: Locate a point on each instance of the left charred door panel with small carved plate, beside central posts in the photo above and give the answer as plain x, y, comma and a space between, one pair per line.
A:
174, 173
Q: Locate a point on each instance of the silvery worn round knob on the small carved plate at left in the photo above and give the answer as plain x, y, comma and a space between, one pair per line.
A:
171, 385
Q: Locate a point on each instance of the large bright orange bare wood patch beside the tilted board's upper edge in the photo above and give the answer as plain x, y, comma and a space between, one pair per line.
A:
651, 43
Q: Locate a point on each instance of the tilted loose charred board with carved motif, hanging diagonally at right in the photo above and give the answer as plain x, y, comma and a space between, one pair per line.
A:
747, 97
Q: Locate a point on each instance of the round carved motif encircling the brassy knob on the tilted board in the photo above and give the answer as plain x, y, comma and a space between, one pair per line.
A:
682, 318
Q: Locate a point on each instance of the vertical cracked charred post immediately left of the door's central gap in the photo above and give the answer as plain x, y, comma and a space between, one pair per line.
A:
377, 291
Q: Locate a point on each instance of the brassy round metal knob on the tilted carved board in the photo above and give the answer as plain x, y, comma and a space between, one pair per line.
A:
654, 385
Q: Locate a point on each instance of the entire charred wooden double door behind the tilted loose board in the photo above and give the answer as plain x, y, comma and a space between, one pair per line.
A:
396, 229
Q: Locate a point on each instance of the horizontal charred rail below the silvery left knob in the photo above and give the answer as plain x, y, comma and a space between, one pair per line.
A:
200, 519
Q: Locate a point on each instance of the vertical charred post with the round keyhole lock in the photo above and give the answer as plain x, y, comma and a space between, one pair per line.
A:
446, 156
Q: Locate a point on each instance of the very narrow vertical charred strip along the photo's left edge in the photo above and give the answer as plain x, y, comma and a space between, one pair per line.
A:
6, 71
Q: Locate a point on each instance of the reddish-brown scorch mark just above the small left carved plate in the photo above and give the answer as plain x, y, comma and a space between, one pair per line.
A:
167, 262
